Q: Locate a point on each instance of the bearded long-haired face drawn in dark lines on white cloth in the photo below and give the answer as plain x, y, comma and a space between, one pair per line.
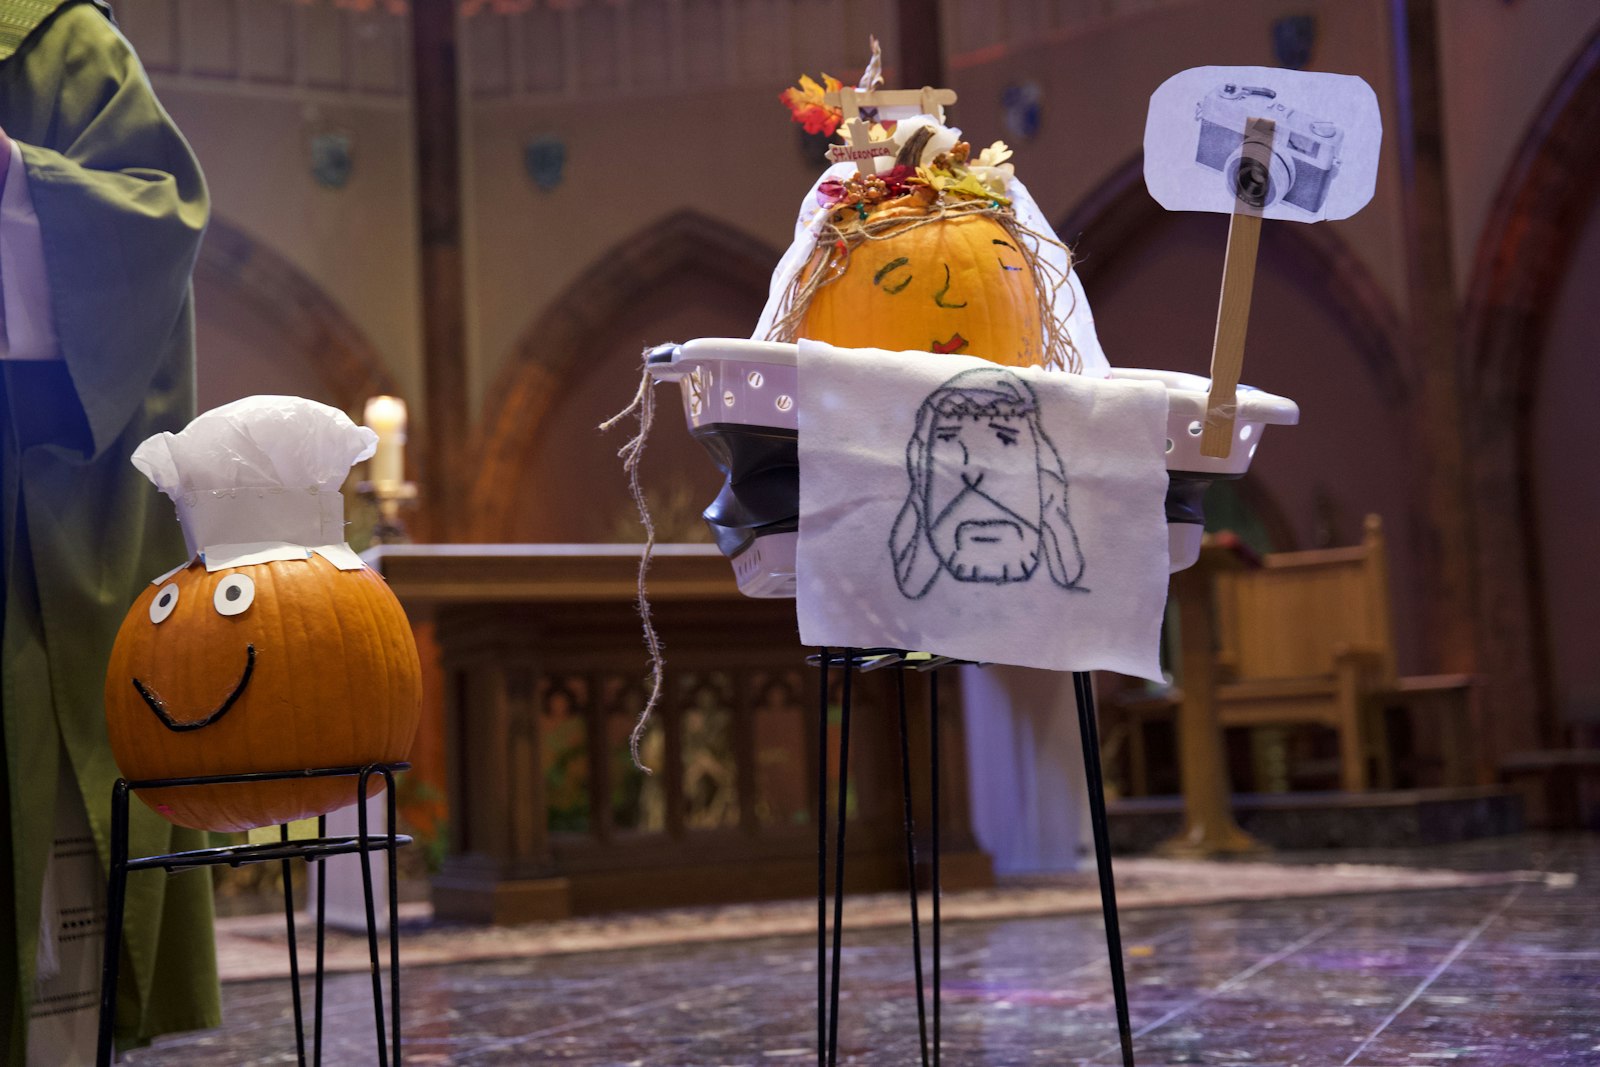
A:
988, 490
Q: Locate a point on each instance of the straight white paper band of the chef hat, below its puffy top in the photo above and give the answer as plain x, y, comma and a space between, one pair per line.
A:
238, 518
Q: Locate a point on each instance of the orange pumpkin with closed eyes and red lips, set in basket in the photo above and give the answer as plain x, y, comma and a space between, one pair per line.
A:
956, 286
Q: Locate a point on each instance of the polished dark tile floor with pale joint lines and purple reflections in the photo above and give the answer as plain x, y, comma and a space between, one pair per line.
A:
1502, 975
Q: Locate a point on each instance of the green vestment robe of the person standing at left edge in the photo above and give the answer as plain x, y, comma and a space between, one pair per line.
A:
122, 207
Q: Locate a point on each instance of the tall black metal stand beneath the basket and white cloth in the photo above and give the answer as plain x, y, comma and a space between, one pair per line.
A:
854, 660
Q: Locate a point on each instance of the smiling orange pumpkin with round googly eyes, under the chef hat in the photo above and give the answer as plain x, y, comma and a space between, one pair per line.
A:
266, 668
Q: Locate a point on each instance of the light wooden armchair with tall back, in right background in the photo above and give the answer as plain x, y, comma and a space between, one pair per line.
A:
1310, 639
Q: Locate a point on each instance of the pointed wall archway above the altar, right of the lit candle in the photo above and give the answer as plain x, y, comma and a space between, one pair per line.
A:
543, 471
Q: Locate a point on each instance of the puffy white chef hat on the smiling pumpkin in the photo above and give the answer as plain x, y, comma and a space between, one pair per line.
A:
258, 481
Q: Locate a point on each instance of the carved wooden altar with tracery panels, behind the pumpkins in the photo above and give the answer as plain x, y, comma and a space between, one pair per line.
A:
545, 676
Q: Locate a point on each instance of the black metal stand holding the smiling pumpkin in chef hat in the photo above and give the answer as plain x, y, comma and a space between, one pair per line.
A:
313, 850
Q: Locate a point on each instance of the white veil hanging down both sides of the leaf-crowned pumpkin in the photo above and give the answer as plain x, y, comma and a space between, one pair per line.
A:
1071, 306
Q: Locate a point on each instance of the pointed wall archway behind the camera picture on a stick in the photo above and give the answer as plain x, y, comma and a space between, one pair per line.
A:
1324, 332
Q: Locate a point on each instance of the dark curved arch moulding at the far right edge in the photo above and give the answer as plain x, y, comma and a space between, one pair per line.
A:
1524, 252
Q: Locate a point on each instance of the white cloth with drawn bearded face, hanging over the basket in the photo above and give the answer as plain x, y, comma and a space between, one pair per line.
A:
998, 514
